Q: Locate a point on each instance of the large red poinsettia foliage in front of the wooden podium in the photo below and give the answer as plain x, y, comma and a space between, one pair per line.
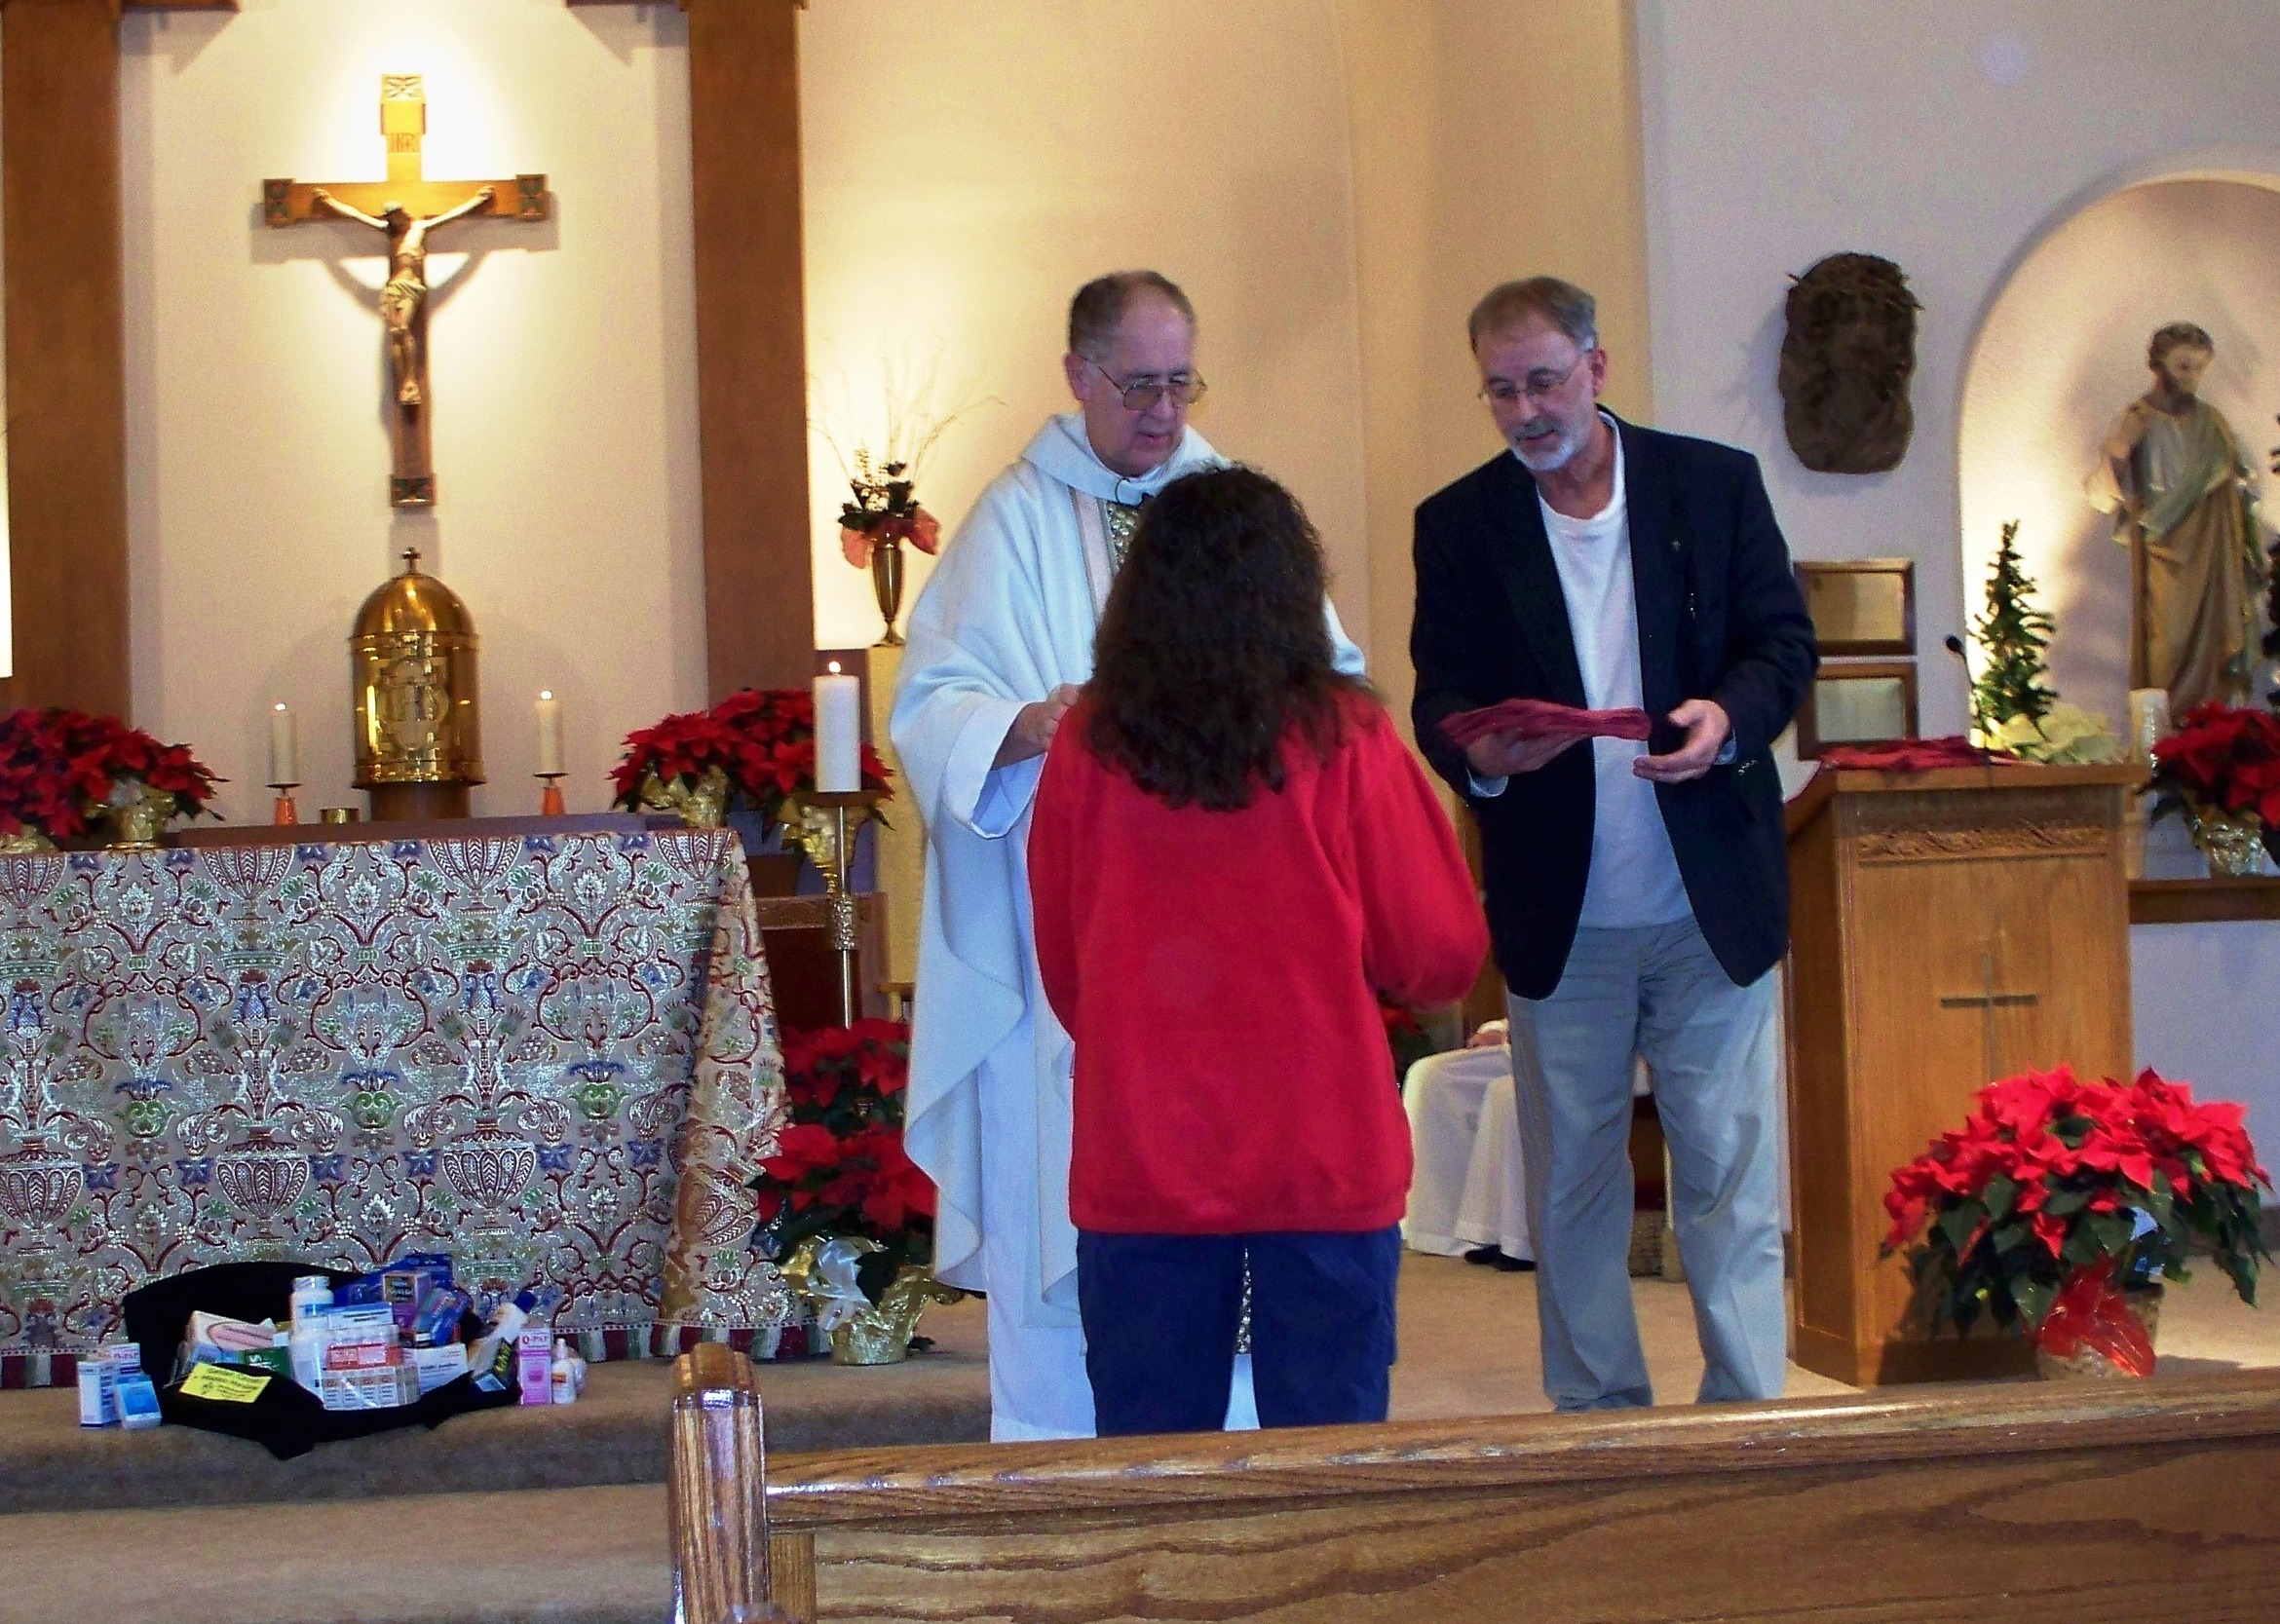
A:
2062, 1194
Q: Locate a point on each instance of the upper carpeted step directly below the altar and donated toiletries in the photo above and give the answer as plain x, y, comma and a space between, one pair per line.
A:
614, 1434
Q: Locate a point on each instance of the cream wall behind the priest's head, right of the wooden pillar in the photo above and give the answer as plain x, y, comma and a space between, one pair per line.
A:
970, 163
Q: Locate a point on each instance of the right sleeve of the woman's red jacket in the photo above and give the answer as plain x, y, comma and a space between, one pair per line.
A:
1424, 934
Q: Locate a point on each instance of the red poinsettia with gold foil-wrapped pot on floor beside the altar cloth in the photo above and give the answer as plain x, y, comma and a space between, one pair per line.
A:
845, 1212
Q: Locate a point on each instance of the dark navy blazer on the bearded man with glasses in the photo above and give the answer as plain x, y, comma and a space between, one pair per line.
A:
1720, 617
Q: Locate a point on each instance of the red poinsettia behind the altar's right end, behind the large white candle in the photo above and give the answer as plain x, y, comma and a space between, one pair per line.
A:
760, 740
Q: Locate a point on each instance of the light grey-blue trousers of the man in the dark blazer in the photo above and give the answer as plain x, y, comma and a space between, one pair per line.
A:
1716, 1062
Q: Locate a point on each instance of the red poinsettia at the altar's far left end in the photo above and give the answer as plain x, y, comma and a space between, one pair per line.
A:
60, 770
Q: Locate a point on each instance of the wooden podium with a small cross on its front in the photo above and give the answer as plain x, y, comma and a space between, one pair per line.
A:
1948, 929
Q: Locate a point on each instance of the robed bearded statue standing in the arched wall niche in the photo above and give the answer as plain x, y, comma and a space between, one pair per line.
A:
2174, 478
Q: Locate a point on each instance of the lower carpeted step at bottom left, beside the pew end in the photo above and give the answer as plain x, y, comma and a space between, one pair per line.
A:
548, 1557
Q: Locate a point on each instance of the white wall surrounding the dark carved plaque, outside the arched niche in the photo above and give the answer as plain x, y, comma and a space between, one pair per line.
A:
1941, 133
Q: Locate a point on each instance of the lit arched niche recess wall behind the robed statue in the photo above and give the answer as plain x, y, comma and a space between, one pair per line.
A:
2062, 350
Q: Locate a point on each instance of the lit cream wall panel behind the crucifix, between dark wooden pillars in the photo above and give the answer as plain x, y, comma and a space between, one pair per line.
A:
562, 366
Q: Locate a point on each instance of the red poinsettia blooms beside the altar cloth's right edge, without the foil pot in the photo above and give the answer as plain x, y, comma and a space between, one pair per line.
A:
840, 1167
